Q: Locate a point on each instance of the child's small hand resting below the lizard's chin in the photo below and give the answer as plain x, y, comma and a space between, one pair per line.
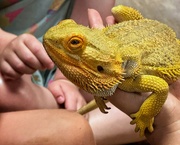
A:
66, 93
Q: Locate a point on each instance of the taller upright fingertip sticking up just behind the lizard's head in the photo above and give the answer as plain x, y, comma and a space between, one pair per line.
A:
95, 20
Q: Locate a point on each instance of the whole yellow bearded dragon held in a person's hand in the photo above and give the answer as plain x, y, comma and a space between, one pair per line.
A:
135, 55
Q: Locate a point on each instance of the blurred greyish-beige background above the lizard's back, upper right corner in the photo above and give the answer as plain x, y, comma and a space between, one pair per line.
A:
166, 11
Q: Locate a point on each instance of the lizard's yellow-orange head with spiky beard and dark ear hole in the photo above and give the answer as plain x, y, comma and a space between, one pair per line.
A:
85, 56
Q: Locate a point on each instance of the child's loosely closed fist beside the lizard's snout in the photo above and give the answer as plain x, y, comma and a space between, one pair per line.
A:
23, 55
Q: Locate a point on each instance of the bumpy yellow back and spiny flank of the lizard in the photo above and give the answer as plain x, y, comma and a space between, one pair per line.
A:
160, 49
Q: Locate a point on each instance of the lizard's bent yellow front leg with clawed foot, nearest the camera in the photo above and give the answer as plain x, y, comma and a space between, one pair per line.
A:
144, 118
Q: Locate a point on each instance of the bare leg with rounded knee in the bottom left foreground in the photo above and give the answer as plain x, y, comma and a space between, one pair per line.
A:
45, 127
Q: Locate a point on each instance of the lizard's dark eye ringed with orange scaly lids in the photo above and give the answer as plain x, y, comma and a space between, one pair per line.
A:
75, 43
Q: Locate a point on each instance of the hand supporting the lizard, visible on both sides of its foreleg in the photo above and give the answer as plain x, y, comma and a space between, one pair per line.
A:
167, 122
